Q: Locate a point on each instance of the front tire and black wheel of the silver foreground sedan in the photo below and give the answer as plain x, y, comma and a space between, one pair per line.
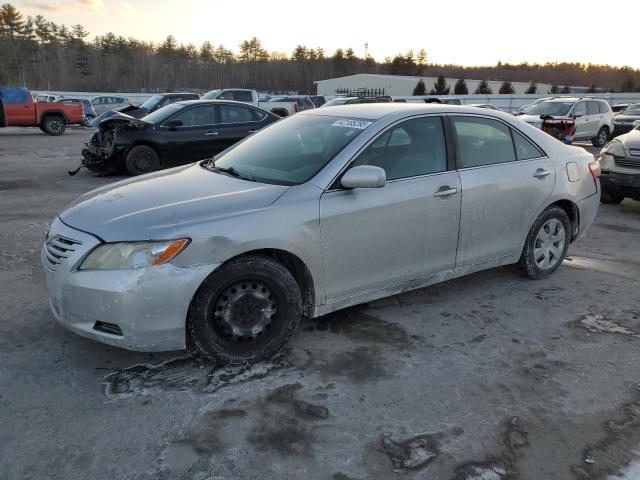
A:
245, 311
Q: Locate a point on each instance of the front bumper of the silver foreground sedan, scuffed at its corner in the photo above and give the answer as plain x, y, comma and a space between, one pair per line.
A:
149, 305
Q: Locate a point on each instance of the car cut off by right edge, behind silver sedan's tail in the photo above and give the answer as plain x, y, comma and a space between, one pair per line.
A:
620, 164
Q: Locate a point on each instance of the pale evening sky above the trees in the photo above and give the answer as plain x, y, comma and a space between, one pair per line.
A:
466, 32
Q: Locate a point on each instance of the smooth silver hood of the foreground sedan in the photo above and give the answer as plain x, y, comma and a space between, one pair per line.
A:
166, 204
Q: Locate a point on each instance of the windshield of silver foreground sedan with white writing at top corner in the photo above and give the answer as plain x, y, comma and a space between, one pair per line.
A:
292, 150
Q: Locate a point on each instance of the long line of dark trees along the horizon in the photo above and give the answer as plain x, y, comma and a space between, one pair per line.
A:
43, 55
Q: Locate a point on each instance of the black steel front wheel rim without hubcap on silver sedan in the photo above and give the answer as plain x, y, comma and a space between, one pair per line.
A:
244, 312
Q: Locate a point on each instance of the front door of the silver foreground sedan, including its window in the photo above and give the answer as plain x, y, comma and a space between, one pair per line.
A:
406, 230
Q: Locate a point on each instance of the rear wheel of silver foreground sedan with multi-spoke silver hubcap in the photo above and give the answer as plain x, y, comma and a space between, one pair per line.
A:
546, 244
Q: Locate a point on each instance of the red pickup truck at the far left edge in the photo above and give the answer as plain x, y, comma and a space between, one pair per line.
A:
21, 111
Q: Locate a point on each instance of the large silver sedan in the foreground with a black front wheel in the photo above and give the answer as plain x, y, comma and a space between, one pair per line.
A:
317, 212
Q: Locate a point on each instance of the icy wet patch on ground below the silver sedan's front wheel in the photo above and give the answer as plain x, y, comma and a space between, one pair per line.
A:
181, 374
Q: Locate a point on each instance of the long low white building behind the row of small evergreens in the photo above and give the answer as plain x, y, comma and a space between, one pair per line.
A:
400, 85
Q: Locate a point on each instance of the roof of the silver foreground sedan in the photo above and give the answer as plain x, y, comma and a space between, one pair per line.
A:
375, 111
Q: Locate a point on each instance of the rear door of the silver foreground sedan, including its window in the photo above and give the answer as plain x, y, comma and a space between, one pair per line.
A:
506, 180
